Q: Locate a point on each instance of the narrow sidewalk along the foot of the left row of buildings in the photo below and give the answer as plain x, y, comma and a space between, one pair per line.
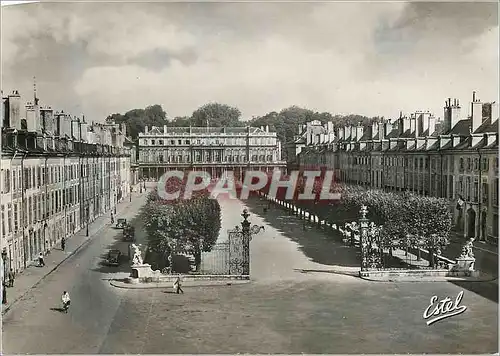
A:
33, 275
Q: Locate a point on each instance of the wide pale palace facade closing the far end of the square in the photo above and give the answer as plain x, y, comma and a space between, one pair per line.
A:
215, 150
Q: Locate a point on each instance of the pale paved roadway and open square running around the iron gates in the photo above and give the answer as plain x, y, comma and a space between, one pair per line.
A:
283, 310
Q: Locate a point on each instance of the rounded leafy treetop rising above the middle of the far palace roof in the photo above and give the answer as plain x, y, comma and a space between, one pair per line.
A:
217, 115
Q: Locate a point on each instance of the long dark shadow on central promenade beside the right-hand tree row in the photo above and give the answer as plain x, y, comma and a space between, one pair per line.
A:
317, 245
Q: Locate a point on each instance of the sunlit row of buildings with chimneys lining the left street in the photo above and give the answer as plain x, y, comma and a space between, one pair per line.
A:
58, 173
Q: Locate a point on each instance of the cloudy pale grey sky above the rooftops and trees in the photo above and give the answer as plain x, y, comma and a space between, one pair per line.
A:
368, 58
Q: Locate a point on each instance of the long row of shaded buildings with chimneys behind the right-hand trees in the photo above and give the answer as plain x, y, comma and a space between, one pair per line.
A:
455, 158
